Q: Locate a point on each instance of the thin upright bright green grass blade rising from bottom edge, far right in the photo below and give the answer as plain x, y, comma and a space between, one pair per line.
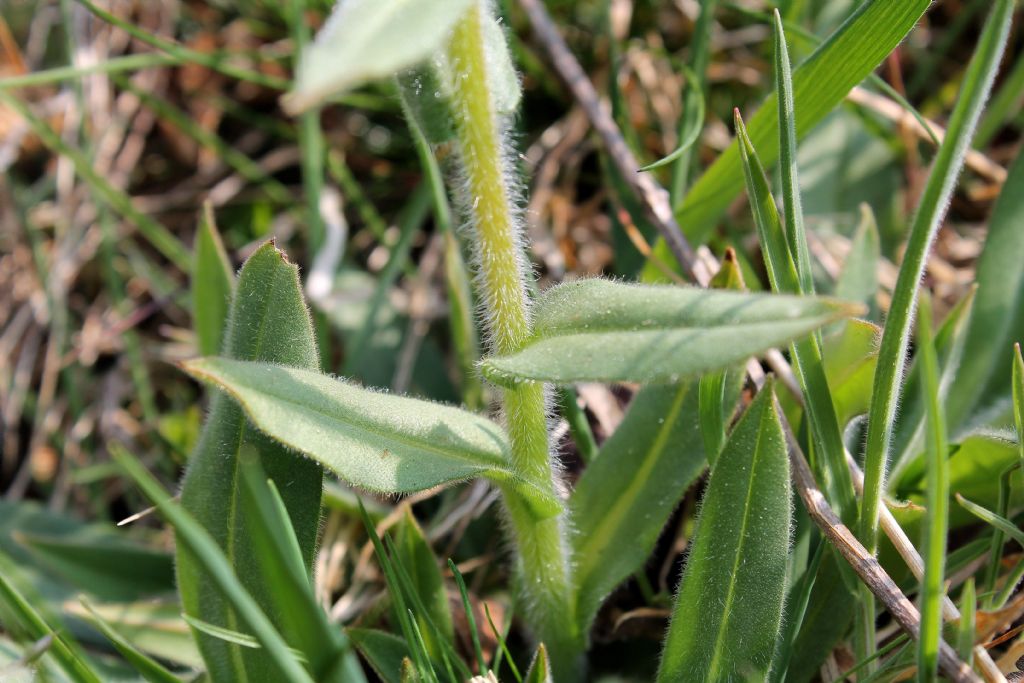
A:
937, 516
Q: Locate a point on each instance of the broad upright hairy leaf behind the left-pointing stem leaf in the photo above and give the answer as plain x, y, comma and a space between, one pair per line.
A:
269, 322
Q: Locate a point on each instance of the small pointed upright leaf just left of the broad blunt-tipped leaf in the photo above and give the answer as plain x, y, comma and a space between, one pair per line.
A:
211, 285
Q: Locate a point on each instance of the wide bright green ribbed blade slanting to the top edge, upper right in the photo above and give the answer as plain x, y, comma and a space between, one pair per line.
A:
821, 83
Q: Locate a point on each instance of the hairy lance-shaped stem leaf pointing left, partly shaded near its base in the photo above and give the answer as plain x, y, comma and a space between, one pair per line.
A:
377, 442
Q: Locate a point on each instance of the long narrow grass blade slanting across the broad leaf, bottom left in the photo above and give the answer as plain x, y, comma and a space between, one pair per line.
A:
218, 570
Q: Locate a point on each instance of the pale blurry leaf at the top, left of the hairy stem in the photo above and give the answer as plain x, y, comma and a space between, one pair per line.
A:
365, 40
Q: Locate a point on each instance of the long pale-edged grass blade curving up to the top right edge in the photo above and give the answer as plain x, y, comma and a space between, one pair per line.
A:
934, 201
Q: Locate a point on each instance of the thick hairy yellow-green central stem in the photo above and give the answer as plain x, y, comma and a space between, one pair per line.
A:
543, 551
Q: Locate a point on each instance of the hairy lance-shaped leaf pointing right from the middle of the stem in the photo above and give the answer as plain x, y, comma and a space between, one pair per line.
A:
596, 330
